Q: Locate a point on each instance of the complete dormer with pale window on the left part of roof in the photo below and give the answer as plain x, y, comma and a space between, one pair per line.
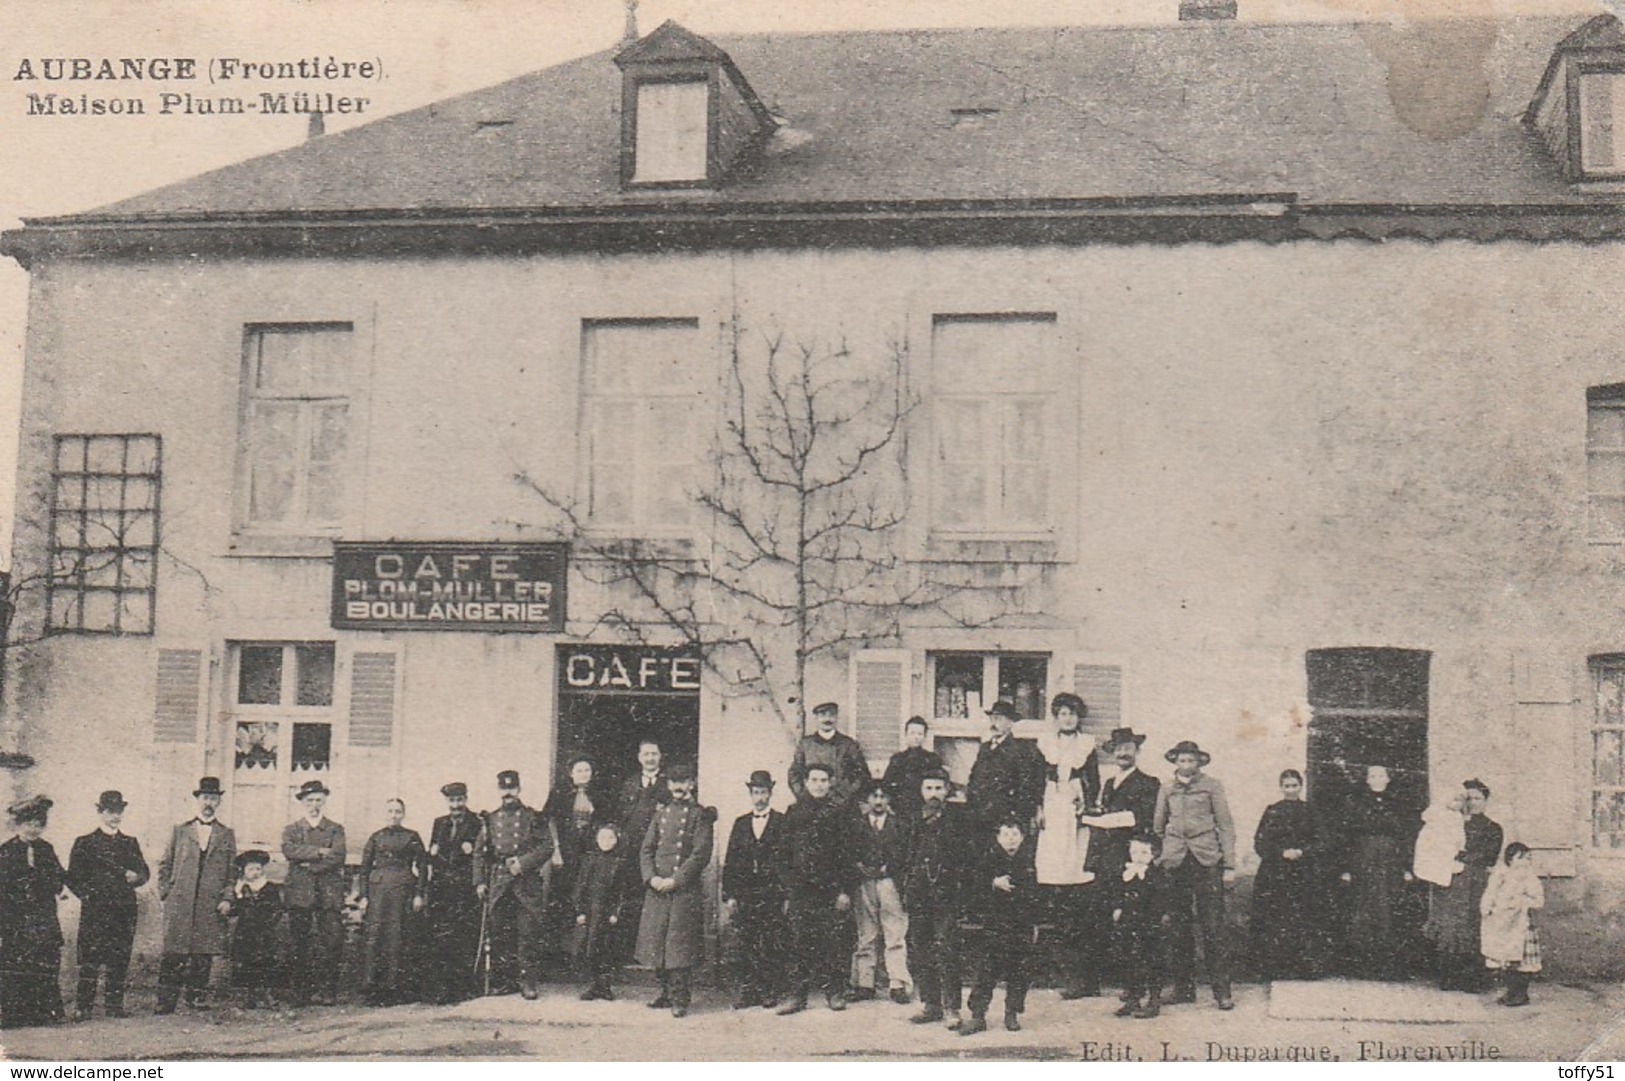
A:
688, 116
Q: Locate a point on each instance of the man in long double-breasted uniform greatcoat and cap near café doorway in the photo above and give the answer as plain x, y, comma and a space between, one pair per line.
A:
675, 854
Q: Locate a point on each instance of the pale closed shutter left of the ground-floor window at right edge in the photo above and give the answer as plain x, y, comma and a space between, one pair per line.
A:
1545, 719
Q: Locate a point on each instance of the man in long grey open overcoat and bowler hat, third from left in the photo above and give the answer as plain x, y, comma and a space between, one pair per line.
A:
194, 882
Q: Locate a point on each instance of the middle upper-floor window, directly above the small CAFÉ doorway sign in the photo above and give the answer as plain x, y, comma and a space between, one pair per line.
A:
643, 381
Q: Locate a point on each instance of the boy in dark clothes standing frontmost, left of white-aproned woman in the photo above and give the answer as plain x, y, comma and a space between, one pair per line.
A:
1003, 896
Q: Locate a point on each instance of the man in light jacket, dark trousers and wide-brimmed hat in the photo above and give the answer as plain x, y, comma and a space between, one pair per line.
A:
1198, 853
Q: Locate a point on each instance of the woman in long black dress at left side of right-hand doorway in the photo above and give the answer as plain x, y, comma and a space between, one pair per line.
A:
1286, 926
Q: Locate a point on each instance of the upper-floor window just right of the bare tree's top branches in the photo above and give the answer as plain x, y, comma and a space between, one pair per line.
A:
990, 381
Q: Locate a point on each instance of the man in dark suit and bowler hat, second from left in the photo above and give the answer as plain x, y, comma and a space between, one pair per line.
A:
105, 870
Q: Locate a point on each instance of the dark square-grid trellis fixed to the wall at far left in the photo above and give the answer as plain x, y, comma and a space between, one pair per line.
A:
103, 568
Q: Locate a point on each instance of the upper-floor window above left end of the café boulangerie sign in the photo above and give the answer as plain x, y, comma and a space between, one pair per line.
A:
297, 427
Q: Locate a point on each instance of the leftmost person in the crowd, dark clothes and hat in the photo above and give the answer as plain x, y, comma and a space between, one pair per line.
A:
32, 882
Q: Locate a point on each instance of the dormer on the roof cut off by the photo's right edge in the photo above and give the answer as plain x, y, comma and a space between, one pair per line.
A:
1580, 108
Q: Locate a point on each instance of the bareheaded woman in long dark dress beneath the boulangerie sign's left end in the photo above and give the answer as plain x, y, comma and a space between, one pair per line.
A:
392, 880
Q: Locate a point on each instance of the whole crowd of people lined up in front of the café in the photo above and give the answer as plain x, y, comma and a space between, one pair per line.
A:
1125, 872
